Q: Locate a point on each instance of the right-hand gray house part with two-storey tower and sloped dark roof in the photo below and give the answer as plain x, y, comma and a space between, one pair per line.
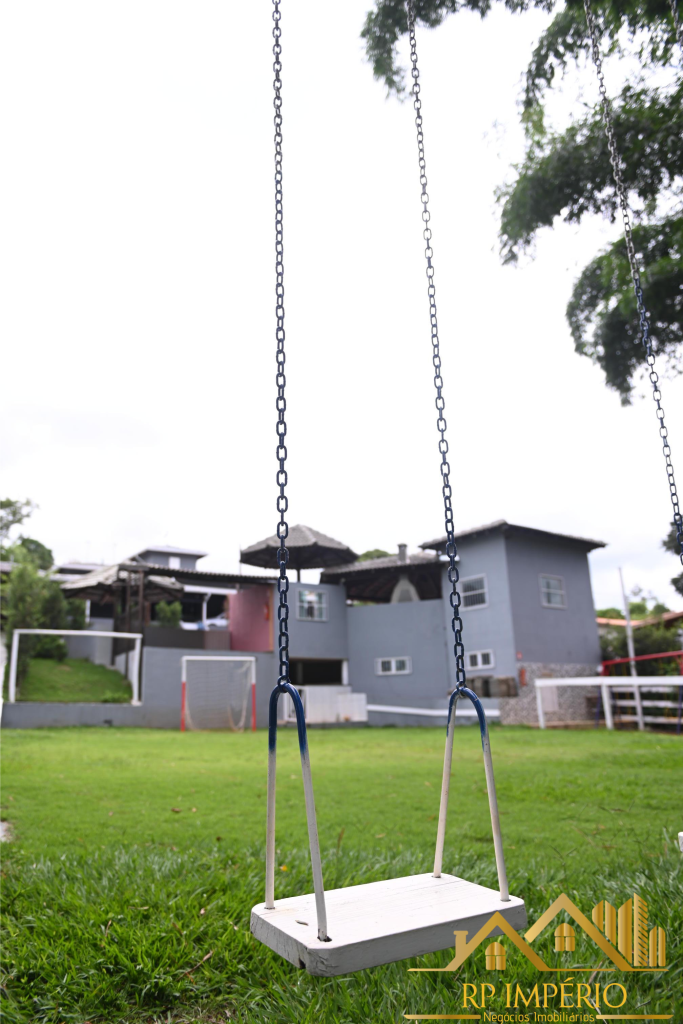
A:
527, 609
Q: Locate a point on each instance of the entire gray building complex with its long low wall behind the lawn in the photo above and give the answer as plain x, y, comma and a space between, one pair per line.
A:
382, 627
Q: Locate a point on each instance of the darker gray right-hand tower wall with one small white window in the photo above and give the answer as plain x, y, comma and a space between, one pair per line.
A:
552, 635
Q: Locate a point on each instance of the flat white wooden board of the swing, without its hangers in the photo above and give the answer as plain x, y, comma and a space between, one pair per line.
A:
380, 922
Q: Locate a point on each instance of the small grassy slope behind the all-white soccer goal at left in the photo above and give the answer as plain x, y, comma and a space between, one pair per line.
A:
74, 679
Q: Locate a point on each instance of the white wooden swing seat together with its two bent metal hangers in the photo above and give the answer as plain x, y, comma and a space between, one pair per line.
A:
379, 922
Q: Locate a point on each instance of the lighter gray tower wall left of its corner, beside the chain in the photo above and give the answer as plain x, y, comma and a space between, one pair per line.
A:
489, 628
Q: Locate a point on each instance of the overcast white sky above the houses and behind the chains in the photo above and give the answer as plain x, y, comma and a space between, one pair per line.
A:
139, 370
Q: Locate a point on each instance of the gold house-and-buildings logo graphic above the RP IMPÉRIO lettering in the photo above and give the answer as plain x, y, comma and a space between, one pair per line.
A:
625, 936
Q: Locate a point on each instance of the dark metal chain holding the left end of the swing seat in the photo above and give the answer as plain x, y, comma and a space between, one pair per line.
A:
281, 380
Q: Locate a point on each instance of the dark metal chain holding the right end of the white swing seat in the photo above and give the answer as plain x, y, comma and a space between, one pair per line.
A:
451, 549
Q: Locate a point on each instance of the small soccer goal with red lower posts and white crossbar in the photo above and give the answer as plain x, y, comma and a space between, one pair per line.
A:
219, 693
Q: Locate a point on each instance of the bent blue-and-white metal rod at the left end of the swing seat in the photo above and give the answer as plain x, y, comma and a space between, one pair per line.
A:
311, 809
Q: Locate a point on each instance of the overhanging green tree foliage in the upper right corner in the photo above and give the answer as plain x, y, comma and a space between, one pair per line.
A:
567, 174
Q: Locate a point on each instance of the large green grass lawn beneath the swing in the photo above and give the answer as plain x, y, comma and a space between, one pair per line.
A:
140, 854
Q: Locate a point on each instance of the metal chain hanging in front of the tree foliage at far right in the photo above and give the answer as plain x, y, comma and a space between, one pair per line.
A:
609, 121
